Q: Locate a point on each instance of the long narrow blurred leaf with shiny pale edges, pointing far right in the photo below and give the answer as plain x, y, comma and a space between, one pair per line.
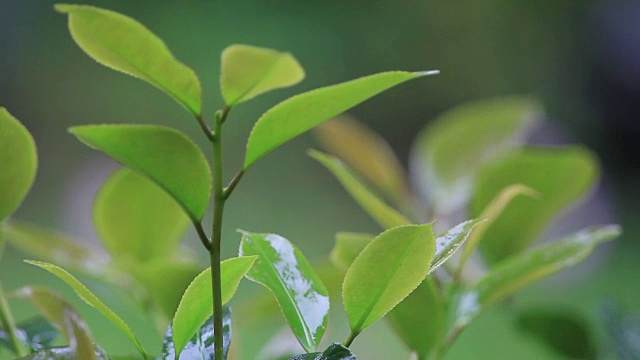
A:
525, 268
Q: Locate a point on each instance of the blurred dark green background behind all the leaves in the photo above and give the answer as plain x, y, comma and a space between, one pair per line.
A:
580, 58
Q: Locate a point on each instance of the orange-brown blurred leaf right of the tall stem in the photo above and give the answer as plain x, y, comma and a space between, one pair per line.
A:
366, 152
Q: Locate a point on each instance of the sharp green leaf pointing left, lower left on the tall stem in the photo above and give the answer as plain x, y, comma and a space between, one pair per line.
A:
166, 156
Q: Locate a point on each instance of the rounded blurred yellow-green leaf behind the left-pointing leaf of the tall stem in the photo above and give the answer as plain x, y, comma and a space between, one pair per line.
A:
135, 218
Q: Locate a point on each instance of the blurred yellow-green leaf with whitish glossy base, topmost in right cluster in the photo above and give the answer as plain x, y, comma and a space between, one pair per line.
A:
449, 151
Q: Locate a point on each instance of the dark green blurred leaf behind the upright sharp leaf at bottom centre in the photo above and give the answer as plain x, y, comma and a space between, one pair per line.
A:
420, 319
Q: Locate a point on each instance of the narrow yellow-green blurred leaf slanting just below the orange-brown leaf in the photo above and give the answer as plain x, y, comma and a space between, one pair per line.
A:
386, 216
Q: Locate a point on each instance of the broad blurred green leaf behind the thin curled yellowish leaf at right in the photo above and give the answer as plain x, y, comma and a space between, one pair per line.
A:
560, 175
